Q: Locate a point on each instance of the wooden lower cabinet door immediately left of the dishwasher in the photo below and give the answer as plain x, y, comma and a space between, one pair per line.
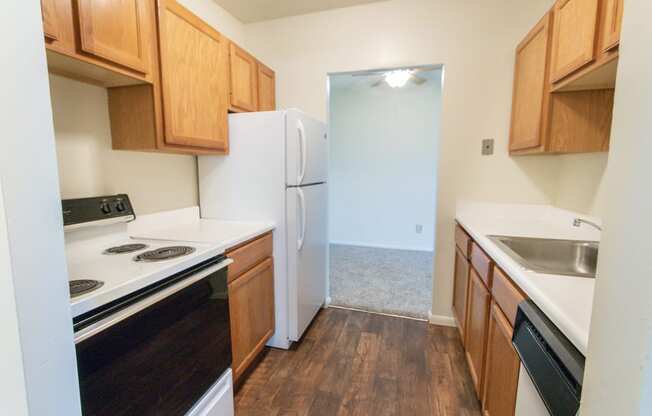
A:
501, 367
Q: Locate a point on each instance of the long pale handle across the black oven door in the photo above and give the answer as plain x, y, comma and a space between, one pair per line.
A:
131, 310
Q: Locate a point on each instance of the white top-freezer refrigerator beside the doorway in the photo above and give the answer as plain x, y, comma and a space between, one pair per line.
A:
277, 170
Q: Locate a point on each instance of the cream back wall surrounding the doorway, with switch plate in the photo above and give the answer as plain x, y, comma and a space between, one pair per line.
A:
475, 40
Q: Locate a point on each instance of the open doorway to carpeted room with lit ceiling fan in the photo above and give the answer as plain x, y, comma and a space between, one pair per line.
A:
384, 136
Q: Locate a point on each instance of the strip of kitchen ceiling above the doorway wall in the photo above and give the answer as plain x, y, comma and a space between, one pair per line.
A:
249, 11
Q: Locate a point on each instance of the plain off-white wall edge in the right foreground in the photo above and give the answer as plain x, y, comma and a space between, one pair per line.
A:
618, 373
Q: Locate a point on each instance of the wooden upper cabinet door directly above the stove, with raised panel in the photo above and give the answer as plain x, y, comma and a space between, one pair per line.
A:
115, 31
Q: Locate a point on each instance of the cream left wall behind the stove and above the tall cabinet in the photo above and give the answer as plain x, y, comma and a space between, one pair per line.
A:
87, 164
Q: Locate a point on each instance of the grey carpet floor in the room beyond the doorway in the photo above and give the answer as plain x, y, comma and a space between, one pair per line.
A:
397, 282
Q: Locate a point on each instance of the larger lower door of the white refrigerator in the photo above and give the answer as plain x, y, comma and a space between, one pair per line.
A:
307, 255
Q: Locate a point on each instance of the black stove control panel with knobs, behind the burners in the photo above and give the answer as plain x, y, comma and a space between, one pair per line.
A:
99, 210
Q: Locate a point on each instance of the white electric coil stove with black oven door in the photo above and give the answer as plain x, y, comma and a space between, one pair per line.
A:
150, 317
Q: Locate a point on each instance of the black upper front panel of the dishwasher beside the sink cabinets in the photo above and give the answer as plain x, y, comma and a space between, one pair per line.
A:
555, 366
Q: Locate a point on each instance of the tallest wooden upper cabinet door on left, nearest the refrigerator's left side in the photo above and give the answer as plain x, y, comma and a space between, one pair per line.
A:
194, 79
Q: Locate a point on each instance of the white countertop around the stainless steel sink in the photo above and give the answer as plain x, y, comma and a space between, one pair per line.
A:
566, 300
